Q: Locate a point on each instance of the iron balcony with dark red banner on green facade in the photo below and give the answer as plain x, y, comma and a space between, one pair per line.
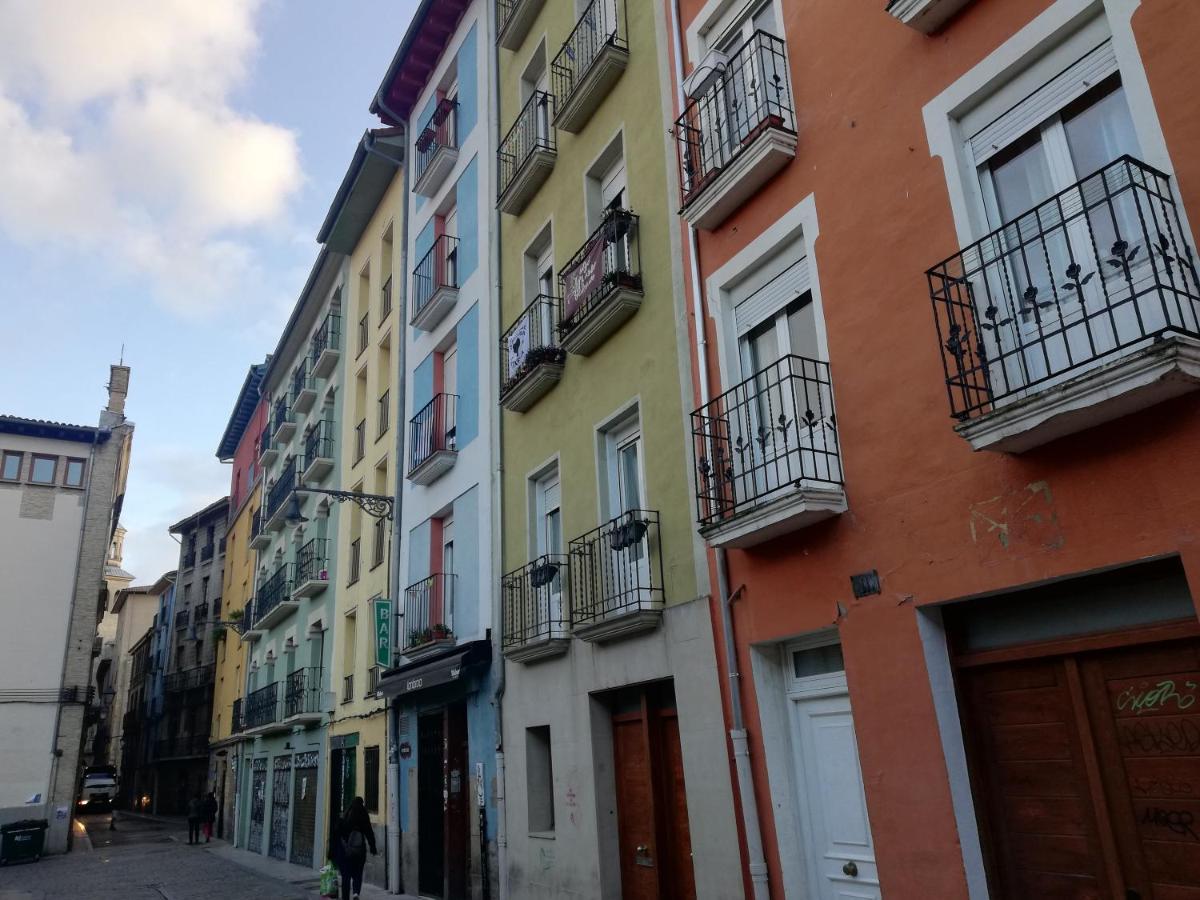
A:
602, 285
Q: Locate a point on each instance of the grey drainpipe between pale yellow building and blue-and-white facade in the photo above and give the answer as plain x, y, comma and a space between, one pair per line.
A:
393, 773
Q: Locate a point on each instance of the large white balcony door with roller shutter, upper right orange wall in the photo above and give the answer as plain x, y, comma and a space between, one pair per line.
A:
1028, 303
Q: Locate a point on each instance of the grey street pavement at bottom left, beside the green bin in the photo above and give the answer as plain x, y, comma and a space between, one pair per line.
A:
147, 860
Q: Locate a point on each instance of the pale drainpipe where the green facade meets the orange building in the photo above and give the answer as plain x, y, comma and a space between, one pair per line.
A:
757, 862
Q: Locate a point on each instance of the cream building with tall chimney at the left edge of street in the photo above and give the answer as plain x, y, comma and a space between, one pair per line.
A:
61, 491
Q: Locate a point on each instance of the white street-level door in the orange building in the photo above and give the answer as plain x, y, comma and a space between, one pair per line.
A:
837, 833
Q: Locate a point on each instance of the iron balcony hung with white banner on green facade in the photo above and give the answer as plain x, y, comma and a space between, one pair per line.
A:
531, 359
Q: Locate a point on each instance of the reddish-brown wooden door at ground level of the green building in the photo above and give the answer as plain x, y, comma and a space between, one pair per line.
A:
652, 808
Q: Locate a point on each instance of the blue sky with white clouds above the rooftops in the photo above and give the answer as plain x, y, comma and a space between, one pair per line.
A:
165, 166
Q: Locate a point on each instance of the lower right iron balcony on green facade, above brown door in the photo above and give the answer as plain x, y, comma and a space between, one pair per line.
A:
617, 578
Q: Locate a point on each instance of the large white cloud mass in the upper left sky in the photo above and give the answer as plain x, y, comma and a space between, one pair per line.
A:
118, 137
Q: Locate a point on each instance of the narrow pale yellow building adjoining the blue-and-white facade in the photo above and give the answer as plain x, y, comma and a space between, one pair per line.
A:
367, 224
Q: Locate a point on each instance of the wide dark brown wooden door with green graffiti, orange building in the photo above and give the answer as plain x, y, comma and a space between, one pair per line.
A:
1088, 773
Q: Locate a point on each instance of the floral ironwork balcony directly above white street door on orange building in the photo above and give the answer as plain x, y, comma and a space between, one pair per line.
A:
767, 455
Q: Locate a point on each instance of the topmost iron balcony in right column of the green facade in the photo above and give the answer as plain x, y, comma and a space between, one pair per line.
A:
590, 63
